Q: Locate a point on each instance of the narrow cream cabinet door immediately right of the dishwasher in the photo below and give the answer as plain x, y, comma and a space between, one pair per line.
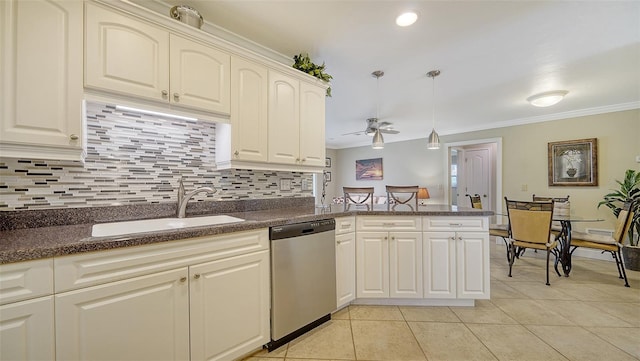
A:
345, 268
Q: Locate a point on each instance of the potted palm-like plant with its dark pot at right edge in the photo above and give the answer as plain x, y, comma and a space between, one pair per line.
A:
629, 192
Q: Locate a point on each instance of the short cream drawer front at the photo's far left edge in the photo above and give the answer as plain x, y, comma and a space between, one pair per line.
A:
25, 280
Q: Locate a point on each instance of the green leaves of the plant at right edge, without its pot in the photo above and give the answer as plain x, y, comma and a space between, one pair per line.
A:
629, 192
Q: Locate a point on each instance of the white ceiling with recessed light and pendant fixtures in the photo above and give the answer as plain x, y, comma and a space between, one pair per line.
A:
492, 55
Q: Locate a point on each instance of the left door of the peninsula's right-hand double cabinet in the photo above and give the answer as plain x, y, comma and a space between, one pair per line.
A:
439, 265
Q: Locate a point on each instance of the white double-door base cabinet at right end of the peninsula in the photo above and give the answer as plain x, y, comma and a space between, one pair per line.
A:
456, 265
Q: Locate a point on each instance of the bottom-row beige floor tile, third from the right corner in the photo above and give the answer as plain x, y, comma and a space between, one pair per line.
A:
514, 342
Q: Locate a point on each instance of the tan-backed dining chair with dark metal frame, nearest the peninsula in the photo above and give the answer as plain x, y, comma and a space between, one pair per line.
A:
530, 227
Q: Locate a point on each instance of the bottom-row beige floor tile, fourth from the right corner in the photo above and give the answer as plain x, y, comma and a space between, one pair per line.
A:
449, 341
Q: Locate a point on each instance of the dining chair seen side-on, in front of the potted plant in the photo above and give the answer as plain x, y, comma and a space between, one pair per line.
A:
611, 244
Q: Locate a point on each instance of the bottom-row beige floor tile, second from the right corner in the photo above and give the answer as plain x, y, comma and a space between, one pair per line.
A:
576, 343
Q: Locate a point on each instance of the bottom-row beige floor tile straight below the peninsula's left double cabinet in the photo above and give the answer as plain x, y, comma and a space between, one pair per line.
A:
385, 340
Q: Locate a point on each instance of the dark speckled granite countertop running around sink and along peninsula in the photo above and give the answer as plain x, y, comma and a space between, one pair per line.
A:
28, 243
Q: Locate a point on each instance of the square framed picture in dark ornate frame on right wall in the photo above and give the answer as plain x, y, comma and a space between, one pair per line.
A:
573, 162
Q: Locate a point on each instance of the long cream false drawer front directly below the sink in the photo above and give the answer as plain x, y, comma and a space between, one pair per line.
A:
95, 268
